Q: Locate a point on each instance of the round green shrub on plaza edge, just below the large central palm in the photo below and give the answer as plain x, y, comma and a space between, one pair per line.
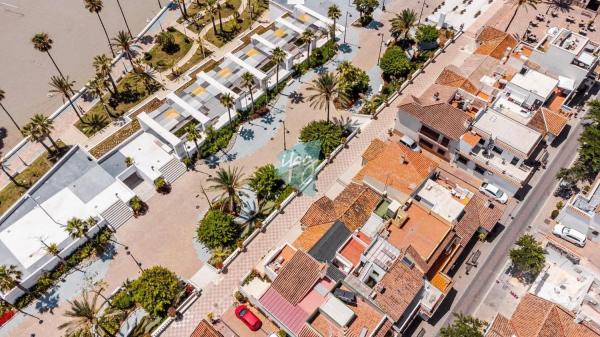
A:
217, 229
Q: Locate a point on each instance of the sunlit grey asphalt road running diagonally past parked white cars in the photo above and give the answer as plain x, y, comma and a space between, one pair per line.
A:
488, 270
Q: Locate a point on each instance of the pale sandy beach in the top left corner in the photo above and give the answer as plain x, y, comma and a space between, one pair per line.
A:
78, 37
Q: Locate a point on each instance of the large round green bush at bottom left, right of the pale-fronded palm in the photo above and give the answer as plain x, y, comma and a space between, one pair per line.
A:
156, 290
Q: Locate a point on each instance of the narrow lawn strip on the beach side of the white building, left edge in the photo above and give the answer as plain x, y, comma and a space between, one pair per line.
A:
11, 193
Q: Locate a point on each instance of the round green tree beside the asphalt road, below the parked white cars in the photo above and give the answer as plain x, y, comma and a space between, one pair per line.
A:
529, 256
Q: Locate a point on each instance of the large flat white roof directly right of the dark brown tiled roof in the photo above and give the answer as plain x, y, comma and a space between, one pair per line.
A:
507, 130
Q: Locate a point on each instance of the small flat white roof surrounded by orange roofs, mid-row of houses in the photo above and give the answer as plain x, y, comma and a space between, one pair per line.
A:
441, 201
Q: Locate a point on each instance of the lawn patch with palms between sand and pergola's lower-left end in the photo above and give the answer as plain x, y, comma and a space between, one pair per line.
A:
131, 93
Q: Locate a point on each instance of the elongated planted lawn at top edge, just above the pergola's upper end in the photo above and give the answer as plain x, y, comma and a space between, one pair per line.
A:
233, 28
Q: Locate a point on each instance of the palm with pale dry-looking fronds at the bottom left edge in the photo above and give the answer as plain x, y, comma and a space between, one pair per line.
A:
85, 315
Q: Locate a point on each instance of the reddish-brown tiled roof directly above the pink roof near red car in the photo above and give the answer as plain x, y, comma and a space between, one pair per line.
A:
297, 277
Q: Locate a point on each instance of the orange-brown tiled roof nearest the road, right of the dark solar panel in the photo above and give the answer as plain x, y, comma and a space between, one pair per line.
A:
401, 284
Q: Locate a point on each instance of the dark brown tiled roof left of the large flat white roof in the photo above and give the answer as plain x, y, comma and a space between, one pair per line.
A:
443, 117
